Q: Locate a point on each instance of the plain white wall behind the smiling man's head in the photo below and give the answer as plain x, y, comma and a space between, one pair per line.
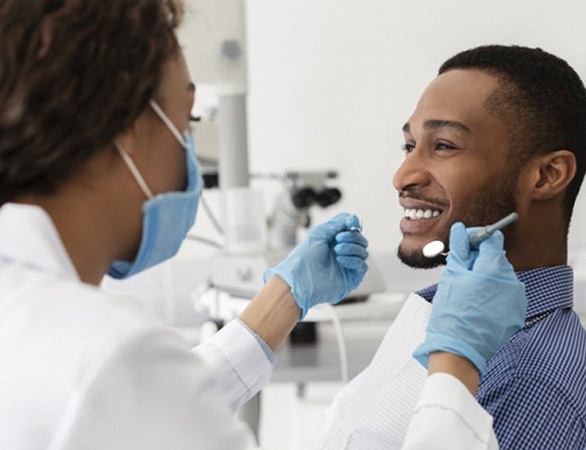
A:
331, 82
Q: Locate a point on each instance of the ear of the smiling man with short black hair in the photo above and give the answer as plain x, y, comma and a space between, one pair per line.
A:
551, 173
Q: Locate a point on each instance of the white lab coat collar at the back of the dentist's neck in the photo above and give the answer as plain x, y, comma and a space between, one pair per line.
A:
28, 236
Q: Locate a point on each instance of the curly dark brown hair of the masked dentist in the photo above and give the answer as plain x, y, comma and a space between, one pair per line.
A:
73, 75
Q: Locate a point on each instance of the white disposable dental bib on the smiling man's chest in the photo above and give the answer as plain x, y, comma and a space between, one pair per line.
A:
374, 409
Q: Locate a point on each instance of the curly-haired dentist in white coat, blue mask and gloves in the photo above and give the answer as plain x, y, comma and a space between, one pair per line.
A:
98, 176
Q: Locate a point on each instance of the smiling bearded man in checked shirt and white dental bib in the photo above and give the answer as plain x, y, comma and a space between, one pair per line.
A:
500, 129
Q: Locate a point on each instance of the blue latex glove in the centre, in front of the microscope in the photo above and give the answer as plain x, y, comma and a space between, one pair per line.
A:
327, 265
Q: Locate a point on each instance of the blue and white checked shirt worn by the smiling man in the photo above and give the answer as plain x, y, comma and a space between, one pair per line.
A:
535, 386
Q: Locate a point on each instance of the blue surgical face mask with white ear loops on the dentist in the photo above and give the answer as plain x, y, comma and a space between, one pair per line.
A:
167, 217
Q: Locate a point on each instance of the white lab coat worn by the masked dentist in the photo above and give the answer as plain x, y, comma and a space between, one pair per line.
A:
84, 369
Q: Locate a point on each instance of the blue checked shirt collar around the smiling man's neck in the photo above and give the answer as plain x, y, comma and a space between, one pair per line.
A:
547, 289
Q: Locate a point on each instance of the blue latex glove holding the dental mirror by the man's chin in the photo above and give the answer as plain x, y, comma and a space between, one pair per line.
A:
479, 303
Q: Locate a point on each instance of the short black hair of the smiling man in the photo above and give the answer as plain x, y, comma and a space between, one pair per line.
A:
542, 98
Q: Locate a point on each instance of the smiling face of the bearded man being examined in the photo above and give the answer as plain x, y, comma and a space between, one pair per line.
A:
457, 166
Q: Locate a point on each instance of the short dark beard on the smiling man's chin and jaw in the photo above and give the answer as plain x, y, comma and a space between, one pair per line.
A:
483, 210
